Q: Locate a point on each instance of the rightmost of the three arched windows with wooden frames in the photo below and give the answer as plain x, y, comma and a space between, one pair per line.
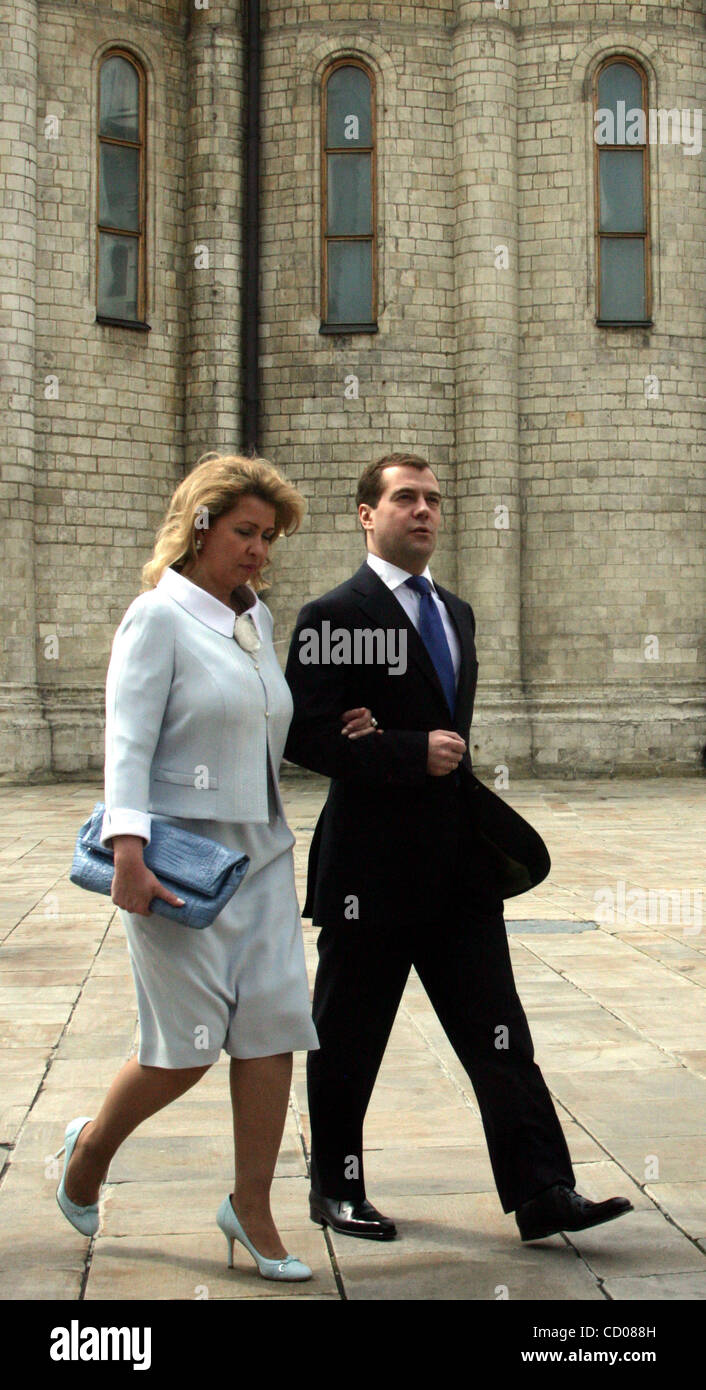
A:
622, 193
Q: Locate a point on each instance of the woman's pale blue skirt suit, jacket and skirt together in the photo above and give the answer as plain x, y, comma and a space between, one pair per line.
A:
195, 735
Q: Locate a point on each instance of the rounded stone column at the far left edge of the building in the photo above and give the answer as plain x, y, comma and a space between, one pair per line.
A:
24, 737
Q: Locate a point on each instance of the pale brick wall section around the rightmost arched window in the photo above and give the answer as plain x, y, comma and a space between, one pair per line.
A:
614, 480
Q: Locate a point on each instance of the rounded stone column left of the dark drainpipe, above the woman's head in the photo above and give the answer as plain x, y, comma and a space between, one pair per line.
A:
213, 229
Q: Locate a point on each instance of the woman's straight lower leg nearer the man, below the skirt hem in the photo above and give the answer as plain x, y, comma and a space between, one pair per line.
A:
261, 1096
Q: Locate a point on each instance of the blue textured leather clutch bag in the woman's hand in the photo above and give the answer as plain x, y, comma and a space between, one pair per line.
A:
199, 871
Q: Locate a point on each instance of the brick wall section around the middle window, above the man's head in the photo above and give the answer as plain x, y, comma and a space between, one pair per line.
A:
405, 372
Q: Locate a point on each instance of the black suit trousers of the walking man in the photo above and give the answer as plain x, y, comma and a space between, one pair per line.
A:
463, 963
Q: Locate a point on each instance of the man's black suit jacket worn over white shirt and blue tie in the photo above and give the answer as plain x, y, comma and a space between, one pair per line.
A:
390, 836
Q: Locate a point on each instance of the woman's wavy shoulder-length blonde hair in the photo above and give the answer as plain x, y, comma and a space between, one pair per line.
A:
216, 486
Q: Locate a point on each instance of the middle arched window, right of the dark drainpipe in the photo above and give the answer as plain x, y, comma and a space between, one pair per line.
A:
348, 215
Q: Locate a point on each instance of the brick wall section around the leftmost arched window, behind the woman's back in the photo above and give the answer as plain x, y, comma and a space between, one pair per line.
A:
110, 445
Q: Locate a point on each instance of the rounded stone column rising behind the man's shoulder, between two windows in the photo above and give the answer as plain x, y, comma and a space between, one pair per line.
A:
487, 369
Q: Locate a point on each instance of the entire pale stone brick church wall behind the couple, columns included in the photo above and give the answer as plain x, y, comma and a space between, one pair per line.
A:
495, 370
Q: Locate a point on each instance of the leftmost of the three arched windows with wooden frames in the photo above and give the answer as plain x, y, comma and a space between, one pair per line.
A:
122, 191
